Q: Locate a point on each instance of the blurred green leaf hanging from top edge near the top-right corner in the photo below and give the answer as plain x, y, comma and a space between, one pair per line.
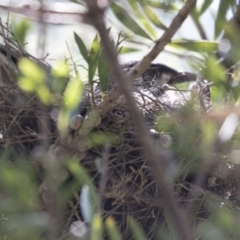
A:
221, 16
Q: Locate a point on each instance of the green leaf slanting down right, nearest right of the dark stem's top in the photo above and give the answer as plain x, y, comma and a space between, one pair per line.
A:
126, 20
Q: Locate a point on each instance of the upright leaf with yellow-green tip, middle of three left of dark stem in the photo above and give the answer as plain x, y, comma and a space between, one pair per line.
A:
93, 59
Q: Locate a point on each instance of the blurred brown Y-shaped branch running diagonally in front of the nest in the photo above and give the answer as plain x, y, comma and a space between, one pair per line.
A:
158, 161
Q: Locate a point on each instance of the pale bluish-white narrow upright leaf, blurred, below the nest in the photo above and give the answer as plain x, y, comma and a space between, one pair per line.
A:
86, 204
